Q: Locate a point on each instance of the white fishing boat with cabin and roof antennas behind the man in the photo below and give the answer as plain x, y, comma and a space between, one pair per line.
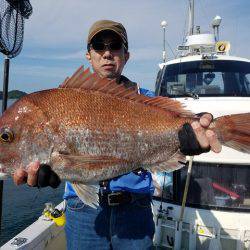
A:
216, 213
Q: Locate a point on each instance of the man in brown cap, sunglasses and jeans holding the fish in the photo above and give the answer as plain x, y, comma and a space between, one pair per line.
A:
124, 219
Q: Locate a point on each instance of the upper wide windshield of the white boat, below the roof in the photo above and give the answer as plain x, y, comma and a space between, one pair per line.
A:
205, 78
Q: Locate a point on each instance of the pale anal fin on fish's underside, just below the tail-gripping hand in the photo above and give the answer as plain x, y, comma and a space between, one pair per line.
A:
177, 161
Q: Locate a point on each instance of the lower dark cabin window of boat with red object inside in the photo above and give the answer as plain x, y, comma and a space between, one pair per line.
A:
212, 185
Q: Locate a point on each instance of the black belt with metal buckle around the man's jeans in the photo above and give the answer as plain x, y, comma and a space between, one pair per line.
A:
120, 198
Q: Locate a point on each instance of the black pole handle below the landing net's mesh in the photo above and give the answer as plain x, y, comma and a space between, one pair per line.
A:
4, 106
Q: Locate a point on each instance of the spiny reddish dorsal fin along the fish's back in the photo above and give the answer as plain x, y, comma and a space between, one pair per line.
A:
84, 79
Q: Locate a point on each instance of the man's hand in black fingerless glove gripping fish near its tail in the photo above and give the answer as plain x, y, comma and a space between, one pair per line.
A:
195, 139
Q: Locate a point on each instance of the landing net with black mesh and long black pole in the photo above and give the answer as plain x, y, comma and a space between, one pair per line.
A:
12, 15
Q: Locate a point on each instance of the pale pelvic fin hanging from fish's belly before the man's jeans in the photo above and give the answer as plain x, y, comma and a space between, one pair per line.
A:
88, 194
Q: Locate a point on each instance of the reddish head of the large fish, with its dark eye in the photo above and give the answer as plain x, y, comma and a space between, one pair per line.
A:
24, 135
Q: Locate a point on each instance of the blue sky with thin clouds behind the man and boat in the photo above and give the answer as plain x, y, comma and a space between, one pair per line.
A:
55, 35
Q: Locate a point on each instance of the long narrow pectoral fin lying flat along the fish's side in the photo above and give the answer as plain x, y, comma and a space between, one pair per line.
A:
84, 161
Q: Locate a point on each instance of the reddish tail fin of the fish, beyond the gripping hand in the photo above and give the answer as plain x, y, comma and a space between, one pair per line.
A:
234, 131
